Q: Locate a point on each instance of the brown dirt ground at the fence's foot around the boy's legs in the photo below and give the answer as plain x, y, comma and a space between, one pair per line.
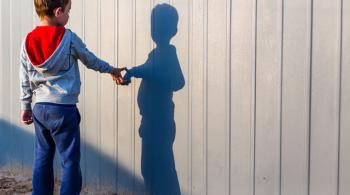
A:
14, 182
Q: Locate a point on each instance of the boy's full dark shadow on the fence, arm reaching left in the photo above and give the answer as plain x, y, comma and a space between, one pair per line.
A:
161, 76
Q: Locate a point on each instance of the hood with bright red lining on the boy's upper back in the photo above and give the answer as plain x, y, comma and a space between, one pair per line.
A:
48, 48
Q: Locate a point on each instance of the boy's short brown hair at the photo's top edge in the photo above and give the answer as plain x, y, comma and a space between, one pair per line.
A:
46, 7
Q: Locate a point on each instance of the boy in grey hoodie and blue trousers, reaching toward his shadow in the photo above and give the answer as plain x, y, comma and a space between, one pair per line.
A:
49, 70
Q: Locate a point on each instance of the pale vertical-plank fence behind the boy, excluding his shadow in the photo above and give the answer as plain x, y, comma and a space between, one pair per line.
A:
265, 109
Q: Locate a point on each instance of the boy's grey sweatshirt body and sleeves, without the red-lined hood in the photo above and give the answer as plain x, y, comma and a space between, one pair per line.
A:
57, 80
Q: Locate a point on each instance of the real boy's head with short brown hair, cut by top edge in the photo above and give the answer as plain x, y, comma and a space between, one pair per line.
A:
56, 10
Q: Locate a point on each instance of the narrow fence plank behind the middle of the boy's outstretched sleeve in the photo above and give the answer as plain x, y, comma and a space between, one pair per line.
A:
91, 90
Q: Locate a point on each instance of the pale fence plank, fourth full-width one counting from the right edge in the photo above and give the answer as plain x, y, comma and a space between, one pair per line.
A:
242, 86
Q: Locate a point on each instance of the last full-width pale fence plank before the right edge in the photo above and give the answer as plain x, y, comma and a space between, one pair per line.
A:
325, 98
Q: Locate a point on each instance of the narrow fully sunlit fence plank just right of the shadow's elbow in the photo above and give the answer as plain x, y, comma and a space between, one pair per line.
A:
196, 79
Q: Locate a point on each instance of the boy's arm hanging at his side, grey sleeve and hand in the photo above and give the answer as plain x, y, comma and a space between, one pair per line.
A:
26, 92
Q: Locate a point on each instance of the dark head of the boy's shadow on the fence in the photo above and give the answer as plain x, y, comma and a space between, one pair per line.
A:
164, 21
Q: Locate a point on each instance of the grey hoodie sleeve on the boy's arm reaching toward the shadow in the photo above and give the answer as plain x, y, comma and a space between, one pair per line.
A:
89, 59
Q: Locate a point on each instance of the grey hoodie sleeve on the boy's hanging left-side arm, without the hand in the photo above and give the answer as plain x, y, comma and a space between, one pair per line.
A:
26, 92
